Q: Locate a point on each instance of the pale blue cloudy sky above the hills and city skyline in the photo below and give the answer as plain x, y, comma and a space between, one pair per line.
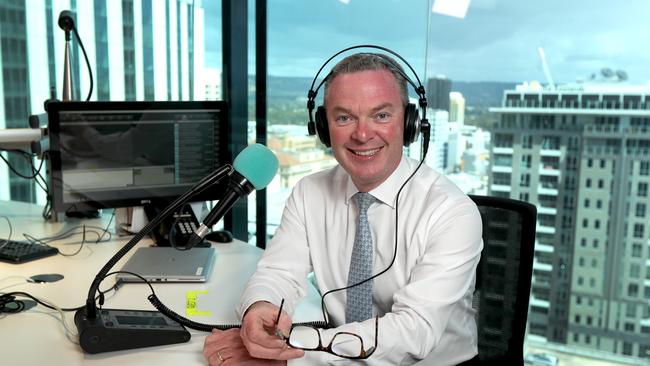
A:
496, 41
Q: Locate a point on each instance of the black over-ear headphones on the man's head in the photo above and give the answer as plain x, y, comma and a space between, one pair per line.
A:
413, 124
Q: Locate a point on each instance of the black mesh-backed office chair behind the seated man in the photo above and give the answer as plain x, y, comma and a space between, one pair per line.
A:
503, 278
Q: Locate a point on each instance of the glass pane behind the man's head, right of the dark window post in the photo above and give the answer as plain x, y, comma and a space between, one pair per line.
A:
298, 46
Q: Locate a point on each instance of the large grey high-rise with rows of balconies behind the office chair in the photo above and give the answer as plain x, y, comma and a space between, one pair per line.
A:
581, 154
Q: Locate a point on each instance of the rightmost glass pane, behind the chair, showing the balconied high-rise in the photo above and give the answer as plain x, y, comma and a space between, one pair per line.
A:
559, 102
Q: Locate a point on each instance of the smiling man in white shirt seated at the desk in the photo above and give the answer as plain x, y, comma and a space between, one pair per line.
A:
426, 240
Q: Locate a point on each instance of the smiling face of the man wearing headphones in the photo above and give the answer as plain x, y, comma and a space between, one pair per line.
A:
365, 115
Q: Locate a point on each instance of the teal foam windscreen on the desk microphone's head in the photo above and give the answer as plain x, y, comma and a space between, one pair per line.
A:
258, 164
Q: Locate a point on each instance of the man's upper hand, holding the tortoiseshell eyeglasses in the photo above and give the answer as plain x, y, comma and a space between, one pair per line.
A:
258, 332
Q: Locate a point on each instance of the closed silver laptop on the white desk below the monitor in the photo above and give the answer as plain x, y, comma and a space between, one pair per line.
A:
166, 264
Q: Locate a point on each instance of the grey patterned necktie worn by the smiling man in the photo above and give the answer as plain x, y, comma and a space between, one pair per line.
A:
359, 305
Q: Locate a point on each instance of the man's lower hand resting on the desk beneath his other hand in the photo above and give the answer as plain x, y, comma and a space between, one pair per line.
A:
226, 348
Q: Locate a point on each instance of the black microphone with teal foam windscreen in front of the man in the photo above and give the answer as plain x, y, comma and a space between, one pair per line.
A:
254, 168
